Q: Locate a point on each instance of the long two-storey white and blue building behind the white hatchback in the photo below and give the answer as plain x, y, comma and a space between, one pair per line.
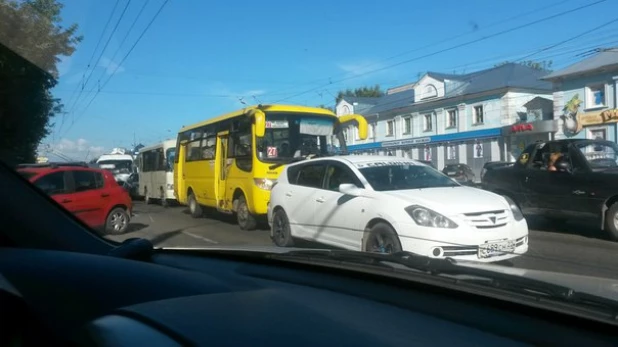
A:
449, 119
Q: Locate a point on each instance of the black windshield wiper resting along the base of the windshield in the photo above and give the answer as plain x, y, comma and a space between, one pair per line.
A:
450, 267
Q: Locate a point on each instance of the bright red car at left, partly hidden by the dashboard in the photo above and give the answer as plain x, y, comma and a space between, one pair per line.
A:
92, 195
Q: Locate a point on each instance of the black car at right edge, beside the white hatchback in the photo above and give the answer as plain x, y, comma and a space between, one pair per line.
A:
563, 180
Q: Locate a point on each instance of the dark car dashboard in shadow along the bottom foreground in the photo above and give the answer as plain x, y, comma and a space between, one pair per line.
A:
193, 298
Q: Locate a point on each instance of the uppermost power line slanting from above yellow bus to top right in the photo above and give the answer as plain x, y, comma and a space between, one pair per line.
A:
506, 31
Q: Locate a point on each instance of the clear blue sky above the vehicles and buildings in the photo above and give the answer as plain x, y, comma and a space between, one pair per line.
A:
199, 59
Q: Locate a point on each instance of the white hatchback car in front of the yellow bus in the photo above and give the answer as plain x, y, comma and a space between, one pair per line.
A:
389, 204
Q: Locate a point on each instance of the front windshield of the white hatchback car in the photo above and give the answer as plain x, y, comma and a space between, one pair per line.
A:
402, 177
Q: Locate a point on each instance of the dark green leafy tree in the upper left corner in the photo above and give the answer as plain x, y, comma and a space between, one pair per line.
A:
32, 41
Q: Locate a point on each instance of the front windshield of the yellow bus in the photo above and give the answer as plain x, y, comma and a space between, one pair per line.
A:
291, 136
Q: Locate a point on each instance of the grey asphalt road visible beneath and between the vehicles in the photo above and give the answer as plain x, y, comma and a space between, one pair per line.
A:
572, 248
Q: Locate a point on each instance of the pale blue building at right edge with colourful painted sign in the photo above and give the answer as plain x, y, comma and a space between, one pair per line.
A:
585, 97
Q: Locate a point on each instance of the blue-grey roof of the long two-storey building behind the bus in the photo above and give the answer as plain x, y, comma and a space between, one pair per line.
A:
511, 75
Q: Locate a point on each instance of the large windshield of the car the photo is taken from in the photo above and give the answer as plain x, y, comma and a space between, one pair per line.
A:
465, 87
